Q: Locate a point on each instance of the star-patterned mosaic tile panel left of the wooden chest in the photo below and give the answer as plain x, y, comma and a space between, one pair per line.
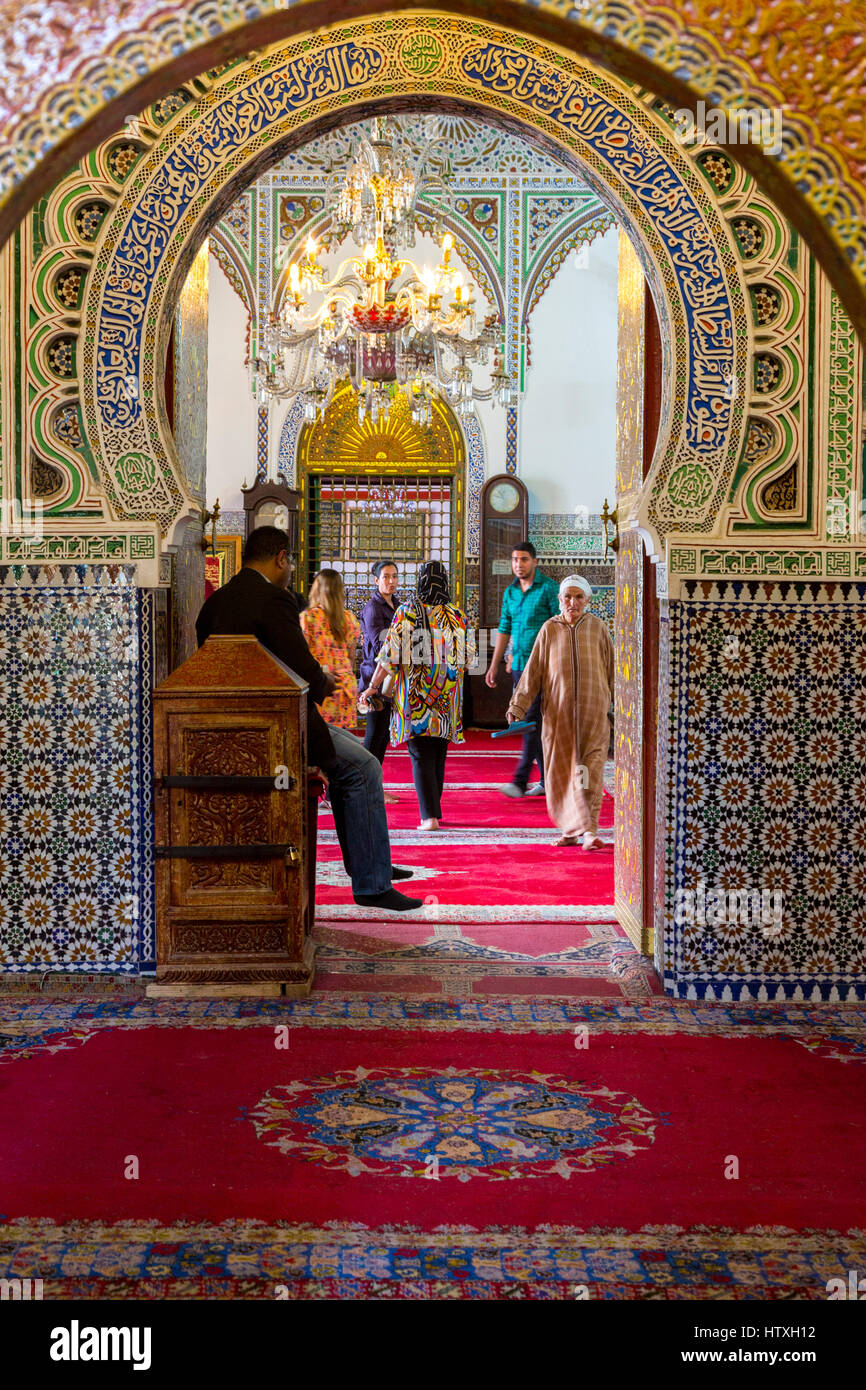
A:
76, 869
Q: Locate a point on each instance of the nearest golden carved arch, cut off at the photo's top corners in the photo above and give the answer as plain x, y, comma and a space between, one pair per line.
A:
56, 99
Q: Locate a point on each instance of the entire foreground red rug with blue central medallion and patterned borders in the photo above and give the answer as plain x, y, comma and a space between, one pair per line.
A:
363, 1146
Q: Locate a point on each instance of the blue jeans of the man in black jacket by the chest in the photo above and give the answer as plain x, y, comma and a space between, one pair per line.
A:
359, 814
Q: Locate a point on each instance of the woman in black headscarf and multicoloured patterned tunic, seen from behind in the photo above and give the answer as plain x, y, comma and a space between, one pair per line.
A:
429, 648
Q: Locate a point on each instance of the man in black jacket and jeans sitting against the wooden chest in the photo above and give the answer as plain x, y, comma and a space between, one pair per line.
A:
258, 601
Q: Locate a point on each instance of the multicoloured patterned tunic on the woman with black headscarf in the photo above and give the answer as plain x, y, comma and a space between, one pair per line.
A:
429, 664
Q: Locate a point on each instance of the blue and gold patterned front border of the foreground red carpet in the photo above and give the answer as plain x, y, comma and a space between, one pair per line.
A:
255, 1260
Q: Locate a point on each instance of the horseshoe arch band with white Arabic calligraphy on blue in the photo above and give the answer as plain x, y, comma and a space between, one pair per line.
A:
193, 170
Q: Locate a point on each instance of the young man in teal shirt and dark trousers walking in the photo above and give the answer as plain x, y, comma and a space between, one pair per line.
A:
530, 600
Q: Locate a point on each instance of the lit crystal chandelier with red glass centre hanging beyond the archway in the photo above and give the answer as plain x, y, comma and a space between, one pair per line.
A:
382, 322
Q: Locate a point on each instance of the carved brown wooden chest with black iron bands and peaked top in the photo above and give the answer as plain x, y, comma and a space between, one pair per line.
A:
233, 825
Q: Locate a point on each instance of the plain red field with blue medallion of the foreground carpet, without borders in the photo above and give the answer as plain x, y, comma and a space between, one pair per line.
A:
341, 1127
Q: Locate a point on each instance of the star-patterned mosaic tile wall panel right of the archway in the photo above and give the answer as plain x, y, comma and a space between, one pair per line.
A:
768, 792
